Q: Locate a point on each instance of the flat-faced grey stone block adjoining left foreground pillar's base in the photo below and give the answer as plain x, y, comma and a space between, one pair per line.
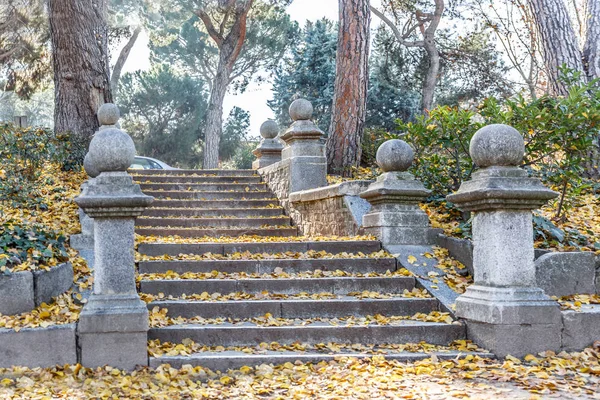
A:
39, 347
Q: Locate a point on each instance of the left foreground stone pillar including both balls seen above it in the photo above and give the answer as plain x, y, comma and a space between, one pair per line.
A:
113, 325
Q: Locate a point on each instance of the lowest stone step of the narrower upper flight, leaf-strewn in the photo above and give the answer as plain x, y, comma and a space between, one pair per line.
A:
217, 232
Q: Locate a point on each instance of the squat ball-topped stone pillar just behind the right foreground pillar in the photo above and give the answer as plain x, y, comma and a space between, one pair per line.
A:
395, 217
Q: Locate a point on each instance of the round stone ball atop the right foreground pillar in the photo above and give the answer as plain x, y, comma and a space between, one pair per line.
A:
497, 145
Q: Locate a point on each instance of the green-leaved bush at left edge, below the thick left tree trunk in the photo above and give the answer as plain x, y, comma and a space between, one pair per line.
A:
24, 152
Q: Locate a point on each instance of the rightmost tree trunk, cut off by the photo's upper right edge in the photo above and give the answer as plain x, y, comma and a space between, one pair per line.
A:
591, 47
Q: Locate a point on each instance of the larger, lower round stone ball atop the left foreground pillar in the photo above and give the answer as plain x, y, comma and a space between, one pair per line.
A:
111, 150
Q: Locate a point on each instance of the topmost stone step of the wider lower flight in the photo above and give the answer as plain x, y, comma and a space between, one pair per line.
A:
333, 247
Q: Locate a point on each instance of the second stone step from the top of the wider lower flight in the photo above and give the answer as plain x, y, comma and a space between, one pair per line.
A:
362, 265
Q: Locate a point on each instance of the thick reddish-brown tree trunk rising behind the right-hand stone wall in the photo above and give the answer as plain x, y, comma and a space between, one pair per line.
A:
351, 85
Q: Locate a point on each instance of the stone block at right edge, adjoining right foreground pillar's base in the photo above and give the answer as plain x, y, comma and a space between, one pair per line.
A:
580, 328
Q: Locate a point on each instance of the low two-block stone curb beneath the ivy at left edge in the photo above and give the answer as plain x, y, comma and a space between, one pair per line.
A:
23, 291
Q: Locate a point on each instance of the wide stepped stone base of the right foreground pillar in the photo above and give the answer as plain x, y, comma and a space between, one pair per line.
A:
516, 321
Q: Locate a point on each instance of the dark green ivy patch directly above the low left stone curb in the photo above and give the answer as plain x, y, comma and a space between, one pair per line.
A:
32, 244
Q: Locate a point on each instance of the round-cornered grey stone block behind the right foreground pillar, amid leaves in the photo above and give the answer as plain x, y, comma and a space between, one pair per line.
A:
564, 274
